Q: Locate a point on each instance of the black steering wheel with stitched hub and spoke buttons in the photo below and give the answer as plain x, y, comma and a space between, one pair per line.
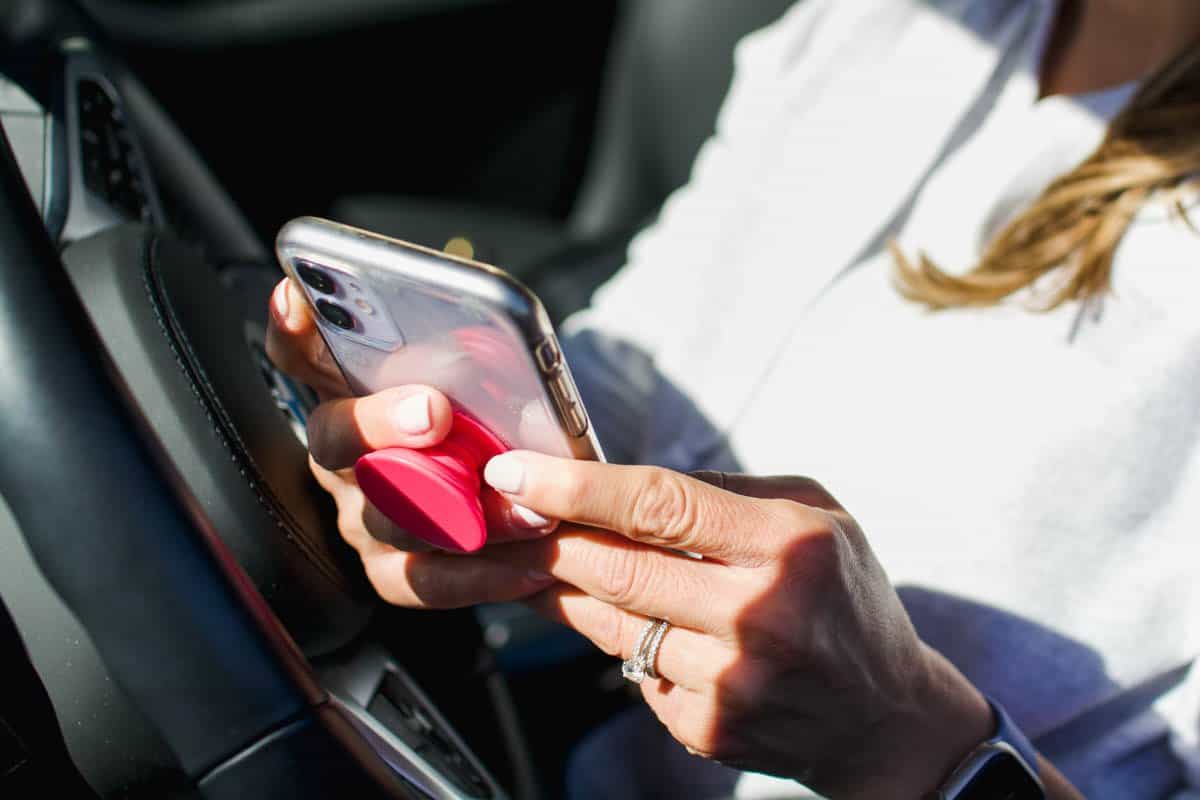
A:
163, 492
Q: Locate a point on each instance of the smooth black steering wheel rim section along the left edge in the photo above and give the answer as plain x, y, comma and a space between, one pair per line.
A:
105, 528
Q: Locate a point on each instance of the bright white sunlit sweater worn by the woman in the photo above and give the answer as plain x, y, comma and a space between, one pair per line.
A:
1031, 482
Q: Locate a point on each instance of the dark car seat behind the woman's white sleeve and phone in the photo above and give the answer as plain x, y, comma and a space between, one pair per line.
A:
669, 69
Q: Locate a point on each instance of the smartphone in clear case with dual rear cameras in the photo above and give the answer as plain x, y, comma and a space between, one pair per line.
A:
398, 314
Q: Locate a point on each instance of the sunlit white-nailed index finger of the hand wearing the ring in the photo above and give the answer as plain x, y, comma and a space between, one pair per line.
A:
647, 504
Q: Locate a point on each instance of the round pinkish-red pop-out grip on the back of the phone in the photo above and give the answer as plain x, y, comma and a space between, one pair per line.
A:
435, 494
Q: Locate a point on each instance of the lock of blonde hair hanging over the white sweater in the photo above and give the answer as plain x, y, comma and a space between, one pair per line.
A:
1150, 154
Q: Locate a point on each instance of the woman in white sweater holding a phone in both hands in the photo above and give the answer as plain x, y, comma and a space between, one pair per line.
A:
1023, 462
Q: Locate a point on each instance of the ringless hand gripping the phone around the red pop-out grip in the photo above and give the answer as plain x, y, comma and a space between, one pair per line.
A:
404, 570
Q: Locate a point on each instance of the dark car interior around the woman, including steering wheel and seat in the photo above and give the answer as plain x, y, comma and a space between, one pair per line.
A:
178, 613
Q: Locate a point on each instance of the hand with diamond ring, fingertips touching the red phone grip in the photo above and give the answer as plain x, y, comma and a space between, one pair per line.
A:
789, 652
